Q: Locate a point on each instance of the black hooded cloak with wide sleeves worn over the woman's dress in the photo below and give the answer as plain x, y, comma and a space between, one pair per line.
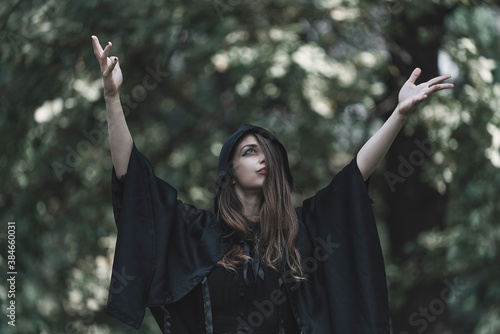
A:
165, 249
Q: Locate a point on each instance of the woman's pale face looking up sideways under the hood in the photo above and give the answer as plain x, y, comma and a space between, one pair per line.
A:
249, 165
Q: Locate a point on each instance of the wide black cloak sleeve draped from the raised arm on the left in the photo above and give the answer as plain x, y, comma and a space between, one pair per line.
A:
164, 247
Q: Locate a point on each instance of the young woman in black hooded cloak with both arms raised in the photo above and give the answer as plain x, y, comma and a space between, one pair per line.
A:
255, 265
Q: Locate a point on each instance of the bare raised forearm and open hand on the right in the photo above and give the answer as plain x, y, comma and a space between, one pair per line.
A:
410, 96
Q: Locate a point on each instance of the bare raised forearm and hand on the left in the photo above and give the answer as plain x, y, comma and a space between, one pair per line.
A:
120, 139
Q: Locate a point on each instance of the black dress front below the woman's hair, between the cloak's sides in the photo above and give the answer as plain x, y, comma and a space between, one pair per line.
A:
252, 299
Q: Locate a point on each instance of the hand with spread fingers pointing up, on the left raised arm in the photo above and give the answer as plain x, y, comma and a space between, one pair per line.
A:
111, 72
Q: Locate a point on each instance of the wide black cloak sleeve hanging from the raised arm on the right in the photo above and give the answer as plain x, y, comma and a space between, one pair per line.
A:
346, 289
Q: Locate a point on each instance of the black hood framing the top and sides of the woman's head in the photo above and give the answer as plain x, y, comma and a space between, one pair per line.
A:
227, 148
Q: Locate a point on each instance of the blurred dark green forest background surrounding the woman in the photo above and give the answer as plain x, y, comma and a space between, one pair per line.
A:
322, 75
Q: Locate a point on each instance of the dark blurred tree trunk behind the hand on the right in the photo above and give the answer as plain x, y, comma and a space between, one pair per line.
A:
414, 38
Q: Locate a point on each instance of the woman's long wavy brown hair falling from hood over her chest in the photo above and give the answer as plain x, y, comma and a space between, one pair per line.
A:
278, 224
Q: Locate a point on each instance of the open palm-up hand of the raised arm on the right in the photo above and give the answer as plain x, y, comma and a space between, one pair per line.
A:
411, 95
